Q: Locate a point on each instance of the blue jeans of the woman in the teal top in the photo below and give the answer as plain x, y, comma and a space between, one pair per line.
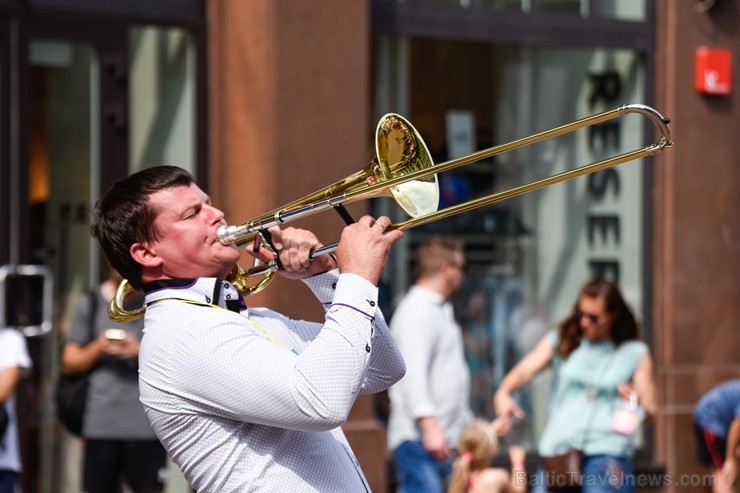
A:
601, 474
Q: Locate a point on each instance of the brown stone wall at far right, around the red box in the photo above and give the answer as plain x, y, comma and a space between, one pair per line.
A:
696, 251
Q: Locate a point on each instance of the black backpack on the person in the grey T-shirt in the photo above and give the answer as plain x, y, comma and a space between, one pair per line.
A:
70, 393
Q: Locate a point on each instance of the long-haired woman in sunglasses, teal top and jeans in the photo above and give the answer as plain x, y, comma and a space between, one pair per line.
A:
602, 388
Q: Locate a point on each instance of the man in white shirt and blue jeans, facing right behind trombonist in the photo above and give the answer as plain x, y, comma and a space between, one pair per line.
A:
430, 405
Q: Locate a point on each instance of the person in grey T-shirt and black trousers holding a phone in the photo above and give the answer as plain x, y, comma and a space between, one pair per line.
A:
119, 441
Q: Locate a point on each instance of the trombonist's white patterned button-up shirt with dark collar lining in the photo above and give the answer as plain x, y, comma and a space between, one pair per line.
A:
253, 401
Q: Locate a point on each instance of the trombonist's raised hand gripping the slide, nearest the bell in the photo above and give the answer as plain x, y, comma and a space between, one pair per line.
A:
364, 246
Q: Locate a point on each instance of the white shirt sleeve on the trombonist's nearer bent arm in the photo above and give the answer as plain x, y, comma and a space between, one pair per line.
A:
241, 374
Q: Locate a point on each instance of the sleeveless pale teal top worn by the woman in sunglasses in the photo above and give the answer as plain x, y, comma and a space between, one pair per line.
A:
584, 397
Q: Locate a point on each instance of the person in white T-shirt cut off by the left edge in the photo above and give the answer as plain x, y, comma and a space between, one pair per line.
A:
15, 362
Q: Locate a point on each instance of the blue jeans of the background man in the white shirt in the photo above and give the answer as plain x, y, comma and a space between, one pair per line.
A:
417, 471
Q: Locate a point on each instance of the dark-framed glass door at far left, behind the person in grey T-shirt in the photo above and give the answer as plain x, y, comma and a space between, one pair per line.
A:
70, 118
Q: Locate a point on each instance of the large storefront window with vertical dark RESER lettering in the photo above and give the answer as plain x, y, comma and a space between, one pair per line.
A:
529, 255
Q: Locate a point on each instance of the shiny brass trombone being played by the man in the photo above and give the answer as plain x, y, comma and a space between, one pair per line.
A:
403, 169
